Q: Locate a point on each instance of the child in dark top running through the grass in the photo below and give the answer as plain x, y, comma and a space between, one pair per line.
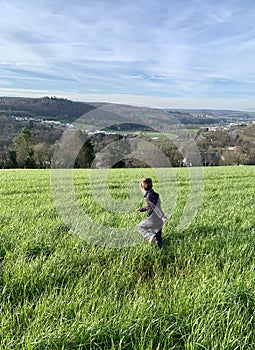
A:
151, 227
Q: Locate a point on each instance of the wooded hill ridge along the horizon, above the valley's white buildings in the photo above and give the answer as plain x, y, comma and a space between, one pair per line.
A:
100, 115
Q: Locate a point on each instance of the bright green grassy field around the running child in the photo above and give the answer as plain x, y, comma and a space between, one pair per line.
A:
59, 292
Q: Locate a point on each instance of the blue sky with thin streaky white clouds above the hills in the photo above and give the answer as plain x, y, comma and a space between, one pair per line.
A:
158, 53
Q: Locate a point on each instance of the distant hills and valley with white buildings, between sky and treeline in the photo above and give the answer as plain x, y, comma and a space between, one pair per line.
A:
29, 111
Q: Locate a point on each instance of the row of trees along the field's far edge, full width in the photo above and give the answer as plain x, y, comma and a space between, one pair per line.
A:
103, 150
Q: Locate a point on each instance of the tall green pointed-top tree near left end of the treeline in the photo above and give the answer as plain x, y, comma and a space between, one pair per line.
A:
24, 147
